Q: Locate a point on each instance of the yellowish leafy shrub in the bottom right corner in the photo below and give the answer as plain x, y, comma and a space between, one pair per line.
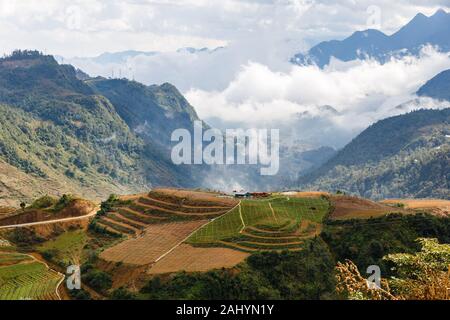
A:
424, 275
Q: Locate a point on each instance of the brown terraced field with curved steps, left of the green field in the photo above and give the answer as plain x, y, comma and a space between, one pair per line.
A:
157, 222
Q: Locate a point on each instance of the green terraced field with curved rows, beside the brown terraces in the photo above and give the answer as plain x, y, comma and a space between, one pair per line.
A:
277, 223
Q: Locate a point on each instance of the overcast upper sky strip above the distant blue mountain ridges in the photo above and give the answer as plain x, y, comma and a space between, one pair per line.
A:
90, 27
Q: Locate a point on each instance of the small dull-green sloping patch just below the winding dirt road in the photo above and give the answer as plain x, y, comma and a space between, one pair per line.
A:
66, 249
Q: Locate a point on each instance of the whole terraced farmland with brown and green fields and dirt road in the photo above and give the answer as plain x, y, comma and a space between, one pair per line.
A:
135, 240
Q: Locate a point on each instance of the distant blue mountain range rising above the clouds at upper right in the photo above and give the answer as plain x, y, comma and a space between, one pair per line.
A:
409, 40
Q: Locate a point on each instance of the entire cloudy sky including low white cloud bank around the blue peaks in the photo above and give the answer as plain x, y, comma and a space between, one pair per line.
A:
249, 82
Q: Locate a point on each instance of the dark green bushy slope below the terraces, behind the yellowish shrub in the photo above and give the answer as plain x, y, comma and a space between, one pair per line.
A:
310, 273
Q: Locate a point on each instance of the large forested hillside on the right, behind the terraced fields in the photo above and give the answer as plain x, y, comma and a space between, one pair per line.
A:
400, 157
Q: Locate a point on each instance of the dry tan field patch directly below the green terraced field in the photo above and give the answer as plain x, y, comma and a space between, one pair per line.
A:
191, 259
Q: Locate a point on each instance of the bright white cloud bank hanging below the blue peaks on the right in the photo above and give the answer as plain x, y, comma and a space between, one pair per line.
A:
362, 92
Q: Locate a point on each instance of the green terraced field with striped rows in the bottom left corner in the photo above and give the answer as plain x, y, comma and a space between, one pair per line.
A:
22, 278
